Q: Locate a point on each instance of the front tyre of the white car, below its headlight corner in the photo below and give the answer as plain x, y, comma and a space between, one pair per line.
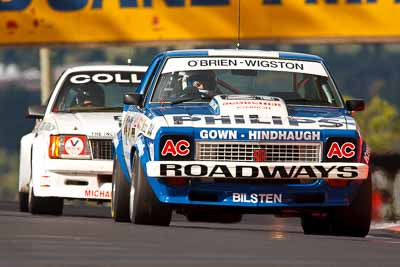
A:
44, 205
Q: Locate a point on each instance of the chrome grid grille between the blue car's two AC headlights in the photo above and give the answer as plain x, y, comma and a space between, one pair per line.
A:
243, 151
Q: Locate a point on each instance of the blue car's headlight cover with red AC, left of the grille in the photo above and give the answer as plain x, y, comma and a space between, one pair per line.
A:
176, 147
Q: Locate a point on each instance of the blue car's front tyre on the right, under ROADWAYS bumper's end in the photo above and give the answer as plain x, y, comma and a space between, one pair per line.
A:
355, 219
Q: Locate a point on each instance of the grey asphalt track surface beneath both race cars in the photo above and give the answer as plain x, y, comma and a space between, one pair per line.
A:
87, 236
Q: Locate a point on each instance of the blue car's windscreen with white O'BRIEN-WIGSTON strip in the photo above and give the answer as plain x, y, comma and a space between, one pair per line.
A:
199, 79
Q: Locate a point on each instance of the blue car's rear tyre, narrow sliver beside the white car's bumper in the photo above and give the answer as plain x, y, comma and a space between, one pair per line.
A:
120, 194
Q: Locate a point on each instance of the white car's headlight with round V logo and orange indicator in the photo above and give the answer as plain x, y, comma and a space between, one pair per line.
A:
69, 147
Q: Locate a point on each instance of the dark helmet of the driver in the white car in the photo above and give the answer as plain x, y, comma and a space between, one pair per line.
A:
90, 95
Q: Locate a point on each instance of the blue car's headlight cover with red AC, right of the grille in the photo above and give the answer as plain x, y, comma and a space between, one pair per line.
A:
341, 149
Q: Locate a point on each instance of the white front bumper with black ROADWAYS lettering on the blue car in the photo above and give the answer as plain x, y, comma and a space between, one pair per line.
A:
256, 170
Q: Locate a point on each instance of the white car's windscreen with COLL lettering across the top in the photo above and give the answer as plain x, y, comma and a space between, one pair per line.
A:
96, 91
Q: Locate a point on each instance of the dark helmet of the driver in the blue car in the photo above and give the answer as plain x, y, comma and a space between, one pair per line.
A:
204, 80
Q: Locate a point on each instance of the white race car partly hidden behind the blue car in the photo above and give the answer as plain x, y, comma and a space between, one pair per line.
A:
69, 152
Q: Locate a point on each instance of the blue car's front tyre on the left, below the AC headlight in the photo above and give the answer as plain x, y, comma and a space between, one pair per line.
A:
144, 206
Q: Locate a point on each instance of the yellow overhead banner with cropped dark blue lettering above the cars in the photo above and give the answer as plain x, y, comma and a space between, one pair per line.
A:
42, 22
